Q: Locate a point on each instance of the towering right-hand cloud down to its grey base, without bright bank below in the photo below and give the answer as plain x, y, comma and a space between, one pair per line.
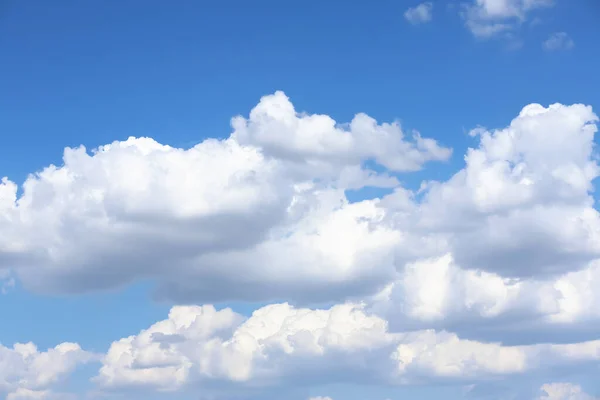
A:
521, 207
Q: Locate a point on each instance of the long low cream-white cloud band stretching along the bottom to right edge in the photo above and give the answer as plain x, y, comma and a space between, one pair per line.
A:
280, 343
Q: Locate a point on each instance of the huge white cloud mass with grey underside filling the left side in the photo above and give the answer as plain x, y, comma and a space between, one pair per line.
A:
223, 214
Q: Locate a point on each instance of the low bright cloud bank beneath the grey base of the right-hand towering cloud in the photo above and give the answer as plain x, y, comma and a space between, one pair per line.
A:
438, 293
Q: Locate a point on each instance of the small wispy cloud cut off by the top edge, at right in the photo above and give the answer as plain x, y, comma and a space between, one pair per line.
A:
488, 18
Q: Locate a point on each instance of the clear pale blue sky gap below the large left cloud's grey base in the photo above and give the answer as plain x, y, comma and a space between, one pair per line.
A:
92, 320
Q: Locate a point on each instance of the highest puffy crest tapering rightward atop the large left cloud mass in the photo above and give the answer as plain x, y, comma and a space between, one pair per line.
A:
317, 141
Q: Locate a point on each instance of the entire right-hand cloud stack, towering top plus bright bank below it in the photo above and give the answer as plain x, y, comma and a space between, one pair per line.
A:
515, 232
